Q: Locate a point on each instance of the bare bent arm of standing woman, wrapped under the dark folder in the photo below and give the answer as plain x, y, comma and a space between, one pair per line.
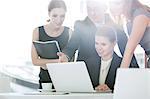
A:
36, 60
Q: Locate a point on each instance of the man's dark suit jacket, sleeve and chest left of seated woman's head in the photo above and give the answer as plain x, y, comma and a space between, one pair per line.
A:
83, 39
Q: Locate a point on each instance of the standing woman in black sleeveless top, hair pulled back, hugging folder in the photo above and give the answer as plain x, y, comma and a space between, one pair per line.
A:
51, 31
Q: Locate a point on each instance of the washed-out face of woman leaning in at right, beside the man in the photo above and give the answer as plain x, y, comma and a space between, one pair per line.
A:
116, 7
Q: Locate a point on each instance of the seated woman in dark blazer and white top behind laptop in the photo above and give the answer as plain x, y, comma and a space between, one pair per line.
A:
102, 68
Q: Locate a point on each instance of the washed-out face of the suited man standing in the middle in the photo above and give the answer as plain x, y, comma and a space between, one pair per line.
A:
96, 10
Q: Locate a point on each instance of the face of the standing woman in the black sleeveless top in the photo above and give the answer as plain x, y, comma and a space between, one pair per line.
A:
57, 16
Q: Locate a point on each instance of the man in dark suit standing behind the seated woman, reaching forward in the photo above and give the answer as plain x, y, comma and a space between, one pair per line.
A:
83, 38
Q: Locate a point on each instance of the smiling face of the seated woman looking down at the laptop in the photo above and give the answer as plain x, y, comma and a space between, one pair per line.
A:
104, 47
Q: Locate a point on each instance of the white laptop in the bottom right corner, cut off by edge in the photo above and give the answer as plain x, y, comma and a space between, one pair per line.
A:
132, 83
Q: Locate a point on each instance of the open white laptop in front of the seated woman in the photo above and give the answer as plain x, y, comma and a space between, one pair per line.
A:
70, 77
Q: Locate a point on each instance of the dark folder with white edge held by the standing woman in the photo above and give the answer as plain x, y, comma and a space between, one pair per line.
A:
47, 49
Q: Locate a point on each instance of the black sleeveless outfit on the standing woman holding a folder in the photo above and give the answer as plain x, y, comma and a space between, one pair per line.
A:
62, 40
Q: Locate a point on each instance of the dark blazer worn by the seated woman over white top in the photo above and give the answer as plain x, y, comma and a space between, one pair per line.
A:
94, 65
